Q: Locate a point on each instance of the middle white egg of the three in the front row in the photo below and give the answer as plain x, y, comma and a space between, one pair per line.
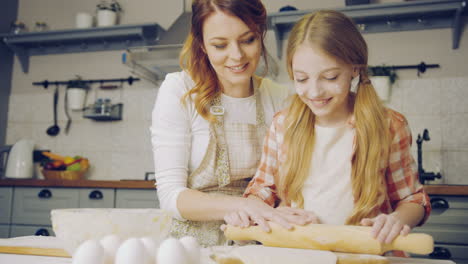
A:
132, 250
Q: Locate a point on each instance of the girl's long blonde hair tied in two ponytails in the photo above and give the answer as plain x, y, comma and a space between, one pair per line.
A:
337, 36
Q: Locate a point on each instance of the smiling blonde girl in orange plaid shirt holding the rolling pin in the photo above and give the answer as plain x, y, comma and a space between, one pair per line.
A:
339, 154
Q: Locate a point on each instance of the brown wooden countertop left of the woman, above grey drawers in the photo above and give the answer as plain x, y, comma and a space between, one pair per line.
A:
122, 184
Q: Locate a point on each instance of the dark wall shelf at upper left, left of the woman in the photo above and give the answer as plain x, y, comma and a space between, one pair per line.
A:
118, 37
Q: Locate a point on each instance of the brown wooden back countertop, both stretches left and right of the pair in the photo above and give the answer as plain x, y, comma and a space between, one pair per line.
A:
136, 184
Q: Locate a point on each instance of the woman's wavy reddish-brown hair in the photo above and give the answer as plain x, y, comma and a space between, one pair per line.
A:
193, 58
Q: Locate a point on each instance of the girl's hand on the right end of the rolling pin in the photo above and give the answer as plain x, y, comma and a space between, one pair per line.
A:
386, 227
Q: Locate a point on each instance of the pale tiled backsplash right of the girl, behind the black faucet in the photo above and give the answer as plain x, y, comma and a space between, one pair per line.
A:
440, 106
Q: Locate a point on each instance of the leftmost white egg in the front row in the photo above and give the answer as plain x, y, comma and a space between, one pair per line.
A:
89, 252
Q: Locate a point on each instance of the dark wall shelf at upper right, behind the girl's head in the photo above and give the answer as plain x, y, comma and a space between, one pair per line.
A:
391, 17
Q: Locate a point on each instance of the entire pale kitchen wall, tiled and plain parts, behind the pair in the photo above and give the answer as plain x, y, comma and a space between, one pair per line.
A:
121, 150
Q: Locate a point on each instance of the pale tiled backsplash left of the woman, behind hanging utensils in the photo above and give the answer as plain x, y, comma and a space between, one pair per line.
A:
116, 150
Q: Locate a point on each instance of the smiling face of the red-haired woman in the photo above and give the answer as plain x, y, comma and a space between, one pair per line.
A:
232, 48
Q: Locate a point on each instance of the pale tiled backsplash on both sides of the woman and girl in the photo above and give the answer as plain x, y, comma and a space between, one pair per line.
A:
122, 150
